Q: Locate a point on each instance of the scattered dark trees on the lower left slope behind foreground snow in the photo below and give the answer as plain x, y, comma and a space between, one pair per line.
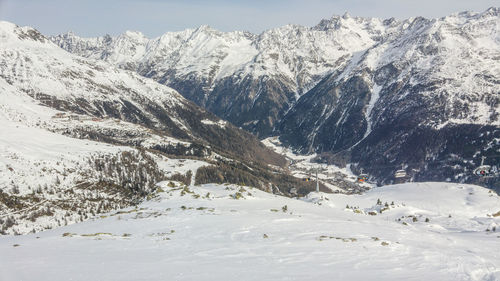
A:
108, 182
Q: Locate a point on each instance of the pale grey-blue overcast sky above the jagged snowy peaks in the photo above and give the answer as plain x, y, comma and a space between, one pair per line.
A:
155, 17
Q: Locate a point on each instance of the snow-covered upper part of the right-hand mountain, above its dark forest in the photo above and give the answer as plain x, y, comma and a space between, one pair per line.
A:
454, 57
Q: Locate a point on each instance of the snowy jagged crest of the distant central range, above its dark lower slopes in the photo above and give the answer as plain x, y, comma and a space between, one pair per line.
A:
287, 50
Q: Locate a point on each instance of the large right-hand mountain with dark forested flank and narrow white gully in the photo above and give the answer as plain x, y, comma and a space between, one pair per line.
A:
425, 98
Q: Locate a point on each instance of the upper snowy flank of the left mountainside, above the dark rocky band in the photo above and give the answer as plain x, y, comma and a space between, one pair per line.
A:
37, 67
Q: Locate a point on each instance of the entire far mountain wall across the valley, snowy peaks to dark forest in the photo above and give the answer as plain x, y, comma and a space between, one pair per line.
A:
380, 92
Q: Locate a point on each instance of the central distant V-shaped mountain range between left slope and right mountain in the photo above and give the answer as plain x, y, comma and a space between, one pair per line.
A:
251, 80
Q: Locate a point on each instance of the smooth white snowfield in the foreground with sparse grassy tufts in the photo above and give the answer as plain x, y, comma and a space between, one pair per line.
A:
203, 233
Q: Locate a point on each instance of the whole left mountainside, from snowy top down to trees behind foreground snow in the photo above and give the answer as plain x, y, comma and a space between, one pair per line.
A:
80, 137
